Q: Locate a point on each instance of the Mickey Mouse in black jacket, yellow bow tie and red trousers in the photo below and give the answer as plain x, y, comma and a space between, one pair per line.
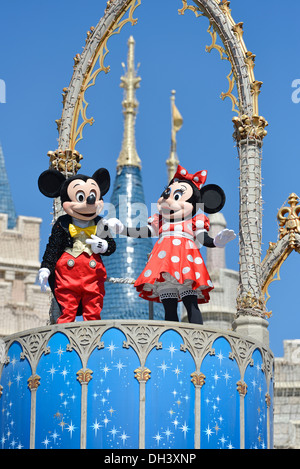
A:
72, 263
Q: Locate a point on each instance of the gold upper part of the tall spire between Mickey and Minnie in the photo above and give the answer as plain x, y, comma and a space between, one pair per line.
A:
130, 82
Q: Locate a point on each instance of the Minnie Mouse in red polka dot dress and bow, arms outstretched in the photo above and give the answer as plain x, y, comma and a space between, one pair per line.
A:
175, 270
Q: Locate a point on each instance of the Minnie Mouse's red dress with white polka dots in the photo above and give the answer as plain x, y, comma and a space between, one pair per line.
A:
175, 259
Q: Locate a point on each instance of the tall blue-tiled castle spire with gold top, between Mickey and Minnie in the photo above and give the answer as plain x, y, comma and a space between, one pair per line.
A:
121, 301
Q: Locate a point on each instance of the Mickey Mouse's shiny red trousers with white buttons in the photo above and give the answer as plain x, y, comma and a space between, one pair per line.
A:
80, 279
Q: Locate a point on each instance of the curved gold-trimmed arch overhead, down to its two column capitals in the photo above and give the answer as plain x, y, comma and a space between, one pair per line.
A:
90, 63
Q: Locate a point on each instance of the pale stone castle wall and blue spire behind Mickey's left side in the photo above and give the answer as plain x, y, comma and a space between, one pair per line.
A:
22, 304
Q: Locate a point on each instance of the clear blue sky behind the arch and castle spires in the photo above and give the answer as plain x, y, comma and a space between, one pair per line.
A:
38, 40
